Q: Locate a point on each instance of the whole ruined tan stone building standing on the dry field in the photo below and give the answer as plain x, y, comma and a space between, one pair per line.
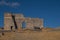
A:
16, 21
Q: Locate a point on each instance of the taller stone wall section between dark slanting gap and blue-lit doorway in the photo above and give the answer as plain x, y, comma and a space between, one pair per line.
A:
19, 19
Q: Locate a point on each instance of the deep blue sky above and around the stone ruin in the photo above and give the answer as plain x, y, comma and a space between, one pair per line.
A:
49, 10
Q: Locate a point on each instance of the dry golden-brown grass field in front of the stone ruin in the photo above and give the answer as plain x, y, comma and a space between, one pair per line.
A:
31, 35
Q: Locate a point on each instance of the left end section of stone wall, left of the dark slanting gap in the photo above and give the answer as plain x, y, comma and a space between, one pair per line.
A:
8, 22
